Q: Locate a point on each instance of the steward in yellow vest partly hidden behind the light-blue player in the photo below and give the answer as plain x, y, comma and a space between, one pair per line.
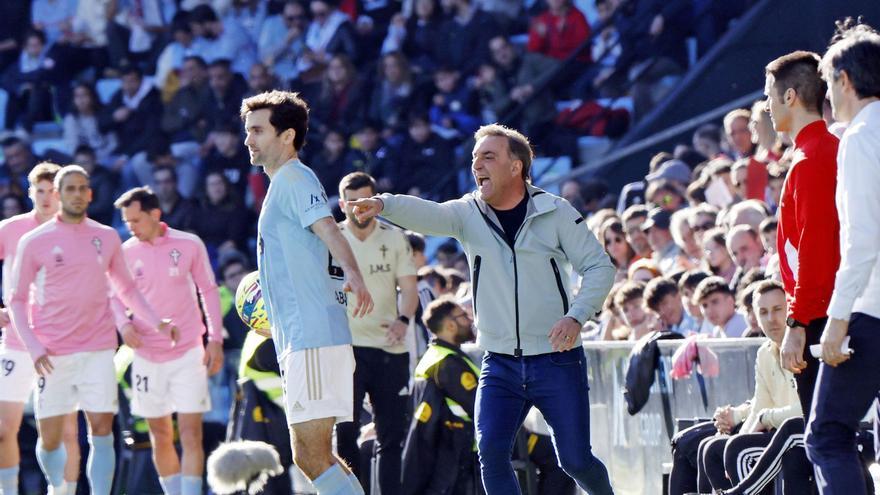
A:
259, 409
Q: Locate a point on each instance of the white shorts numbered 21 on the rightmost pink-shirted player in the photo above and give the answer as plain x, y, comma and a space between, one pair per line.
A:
179, 385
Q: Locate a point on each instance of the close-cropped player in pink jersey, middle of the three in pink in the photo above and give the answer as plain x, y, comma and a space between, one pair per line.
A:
70, 331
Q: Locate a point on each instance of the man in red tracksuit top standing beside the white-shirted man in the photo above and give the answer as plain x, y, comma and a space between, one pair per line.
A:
808, 239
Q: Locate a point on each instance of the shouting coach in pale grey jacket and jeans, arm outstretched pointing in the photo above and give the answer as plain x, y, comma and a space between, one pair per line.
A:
521, 243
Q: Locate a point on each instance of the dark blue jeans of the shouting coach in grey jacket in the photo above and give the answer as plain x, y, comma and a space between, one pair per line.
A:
556, 384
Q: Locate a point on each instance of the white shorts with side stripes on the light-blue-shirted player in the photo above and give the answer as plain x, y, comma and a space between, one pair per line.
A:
318, 383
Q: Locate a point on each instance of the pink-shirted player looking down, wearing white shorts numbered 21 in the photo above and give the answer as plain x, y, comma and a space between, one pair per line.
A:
168, 265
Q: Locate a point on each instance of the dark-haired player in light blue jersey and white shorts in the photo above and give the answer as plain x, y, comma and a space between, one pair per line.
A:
306, 267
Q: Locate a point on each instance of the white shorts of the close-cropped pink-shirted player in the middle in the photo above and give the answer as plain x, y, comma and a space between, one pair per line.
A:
84, 381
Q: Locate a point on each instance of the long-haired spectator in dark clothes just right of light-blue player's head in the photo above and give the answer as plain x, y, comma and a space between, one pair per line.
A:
340, 101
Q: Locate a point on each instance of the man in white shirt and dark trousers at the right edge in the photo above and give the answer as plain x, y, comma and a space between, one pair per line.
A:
848, 383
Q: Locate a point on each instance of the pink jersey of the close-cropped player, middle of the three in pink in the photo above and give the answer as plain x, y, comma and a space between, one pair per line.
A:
69, 265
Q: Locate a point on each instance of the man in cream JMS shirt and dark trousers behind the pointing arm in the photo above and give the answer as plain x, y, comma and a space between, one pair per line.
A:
380, 340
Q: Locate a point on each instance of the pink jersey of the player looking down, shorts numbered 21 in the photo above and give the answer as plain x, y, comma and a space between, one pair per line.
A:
168, 271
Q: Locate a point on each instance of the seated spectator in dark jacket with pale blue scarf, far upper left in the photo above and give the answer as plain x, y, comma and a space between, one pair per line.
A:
28, 83
